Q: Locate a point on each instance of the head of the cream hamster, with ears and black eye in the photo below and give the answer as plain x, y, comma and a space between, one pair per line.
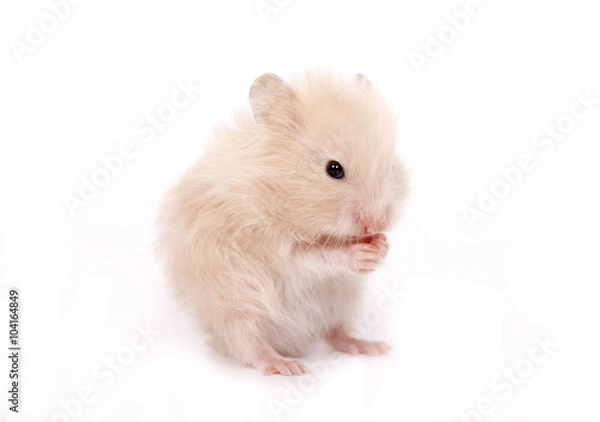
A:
331, 161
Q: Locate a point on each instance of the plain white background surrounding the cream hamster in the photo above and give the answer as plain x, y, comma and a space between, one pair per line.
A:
476, 296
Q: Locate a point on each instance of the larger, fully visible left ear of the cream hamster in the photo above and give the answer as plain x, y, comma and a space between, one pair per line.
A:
274, 103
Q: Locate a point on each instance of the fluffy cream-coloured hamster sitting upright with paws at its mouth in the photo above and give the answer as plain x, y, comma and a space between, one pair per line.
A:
268, 237
